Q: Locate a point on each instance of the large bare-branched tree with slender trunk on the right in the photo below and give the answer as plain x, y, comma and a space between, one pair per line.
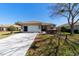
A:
68, 10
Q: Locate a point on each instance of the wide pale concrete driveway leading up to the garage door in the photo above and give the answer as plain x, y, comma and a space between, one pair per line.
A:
17, 44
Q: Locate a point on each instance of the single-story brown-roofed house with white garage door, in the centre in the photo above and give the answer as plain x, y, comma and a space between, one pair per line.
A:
35, 26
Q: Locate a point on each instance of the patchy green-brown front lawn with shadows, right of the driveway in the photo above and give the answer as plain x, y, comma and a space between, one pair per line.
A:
50, 45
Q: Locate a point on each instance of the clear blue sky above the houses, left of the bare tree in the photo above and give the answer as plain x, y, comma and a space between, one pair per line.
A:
11, 13
